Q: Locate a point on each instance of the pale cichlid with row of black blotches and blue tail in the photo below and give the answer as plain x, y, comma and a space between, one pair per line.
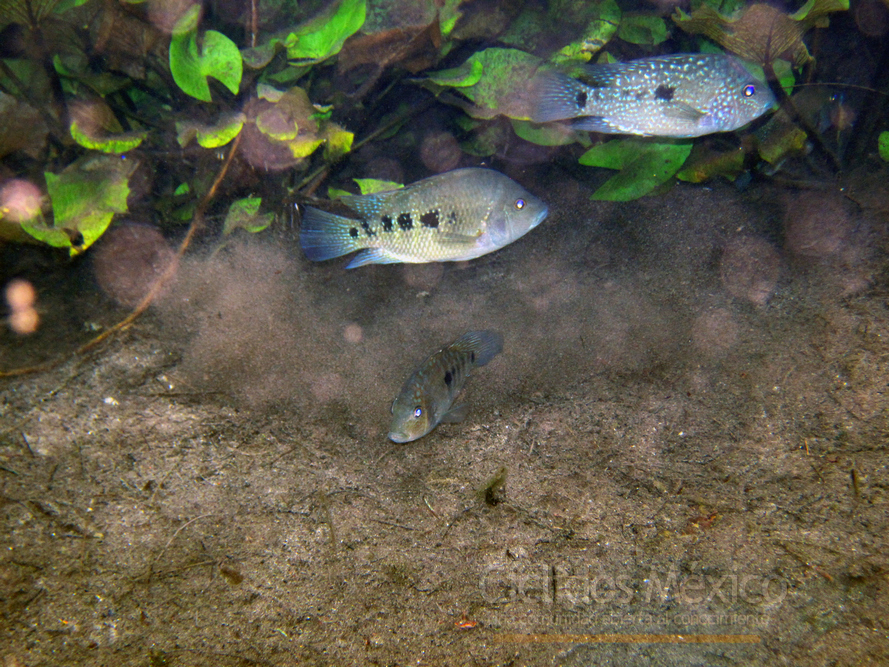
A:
457, 215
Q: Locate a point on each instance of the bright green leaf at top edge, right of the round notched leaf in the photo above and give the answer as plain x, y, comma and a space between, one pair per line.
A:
325, 34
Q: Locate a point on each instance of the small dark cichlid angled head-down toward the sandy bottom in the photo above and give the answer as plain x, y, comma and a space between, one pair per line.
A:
425, 399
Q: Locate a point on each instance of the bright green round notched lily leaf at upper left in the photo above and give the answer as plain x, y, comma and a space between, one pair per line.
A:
218, 57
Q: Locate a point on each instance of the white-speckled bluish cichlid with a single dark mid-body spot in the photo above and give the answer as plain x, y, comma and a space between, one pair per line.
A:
683, 95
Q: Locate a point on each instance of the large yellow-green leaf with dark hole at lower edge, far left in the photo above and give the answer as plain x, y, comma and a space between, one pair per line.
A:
85, 197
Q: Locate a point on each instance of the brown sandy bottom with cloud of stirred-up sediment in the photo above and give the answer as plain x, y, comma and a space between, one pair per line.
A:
690, 412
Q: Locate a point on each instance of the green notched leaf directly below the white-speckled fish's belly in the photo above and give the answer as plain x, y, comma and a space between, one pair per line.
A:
643, 165
